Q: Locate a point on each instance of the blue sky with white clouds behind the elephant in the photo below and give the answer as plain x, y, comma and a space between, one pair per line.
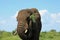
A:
49, 10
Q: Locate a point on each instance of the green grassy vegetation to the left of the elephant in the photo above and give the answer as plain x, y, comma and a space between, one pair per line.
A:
8, 36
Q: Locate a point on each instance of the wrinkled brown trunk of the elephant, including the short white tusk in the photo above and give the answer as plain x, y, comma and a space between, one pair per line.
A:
22, 30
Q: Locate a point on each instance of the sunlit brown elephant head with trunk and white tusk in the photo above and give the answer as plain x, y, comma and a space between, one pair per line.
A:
23, 19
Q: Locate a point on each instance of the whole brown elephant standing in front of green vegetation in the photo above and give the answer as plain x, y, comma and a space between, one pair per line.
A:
29, 24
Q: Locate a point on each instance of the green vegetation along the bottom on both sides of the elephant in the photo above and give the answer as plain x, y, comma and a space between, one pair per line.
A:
51, 35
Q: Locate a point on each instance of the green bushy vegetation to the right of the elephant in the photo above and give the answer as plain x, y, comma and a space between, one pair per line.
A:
51, 35
